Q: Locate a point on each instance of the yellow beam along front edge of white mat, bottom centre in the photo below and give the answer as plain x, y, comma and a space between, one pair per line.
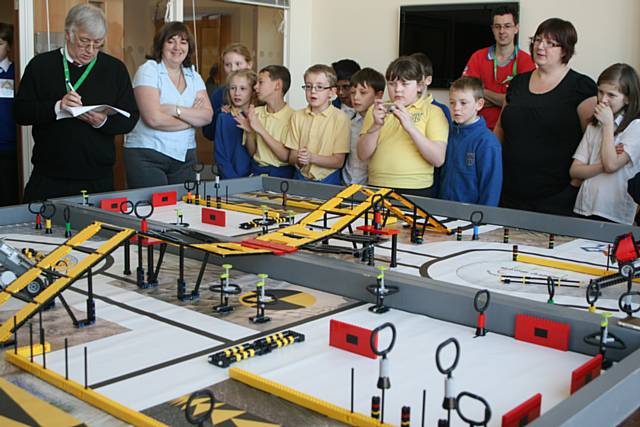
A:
305, 400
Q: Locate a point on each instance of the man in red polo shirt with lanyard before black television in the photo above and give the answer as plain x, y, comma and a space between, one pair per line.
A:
496, 65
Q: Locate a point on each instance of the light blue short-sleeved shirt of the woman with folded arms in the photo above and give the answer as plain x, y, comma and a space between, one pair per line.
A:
174, 144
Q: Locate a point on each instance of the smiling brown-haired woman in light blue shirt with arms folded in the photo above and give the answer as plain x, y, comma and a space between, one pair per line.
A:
173, 101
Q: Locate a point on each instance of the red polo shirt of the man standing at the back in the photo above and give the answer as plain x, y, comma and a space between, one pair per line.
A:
496, 77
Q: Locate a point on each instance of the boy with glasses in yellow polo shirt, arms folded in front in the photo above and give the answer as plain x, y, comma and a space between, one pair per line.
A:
318, 137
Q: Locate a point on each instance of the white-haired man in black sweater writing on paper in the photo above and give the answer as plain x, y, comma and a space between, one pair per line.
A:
74, 154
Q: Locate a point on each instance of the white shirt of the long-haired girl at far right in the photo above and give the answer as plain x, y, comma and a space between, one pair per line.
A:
606, 194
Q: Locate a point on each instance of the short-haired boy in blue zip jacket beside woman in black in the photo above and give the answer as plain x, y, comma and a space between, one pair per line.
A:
472, 172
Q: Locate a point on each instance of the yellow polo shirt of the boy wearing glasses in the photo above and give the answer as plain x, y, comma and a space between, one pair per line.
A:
326, 134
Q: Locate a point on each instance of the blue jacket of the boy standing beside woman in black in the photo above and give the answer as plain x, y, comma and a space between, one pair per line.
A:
472, 172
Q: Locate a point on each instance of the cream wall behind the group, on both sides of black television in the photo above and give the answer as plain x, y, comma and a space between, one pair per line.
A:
368, 31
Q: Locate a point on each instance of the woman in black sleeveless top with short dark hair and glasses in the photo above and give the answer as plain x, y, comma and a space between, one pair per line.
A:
542, 121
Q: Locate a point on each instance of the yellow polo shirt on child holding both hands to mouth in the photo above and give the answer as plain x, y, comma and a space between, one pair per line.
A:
396, 162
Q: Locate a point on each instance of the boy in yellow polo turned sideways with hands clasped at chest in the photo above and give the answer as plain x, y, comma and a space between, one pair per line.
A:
266, 127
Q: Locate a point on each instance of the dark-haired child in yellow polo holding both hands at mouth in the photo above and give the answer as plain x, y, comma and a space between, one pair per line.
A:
405, 139
